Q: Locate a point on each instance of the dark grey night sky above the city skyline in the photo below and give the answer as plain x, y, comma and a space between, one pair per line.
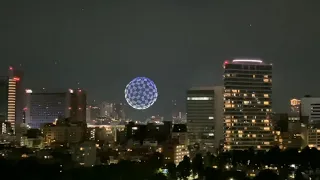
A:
177, 43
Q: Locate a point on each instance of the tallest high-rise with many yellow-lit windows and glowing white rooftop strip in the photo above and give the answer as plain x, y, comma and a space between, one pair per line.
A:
248, 104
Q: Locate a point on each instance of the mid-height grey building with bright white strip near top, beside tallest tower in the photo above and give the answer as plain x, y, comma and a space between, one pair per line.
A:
202, 109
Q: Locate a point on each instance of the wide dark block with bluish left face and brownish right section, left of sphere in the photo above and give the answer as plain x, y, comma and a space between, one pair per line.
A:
47, 107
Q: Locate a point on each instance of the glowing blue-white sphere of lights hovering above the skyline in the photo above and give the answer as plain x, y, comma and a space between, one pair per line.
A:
141, 93
